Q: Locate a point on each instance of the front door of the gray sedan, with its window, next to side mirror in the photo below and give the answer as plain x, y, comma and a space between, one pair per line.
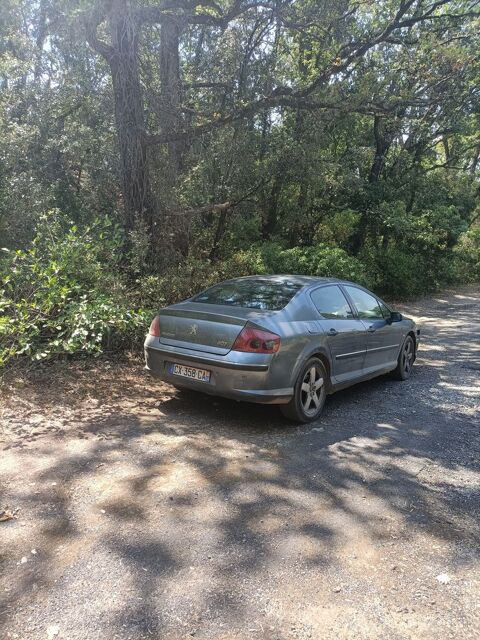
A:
383, 337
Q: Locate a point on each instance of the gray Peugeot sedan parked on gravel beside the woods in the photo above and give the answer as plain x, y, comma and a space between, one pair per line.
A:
286, 340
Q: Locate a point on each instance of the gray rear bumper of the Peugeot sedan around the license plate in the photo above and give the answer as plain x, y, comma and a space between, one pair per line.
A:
237, 380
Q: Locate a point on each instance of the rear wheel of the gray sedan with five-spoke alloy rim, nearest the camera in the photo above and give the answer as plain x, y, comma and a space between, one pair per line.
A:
309, 394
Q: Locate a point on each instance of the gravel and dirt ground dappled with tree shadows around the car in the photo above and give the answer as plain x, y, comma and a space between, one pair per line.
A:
146, 513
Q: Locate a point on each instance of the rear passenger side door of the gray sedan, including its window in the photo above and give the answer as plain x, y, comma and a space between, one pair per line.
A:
346, 335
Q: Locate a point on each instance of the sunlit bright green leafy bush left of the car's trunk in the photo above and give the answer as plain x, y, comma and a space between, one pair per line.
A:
64, 295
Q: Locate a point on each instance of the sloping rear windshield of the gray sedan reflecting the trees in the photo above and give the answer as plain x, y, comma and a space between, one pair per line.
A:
251, 294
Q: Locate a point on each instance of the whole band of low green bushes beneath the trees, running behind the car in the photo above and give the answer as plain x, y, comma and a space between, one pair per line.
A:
67, 293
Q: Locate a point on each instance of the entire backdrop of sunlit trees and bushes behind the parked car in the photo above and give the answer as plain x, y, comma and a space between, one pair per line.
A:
345, 137
